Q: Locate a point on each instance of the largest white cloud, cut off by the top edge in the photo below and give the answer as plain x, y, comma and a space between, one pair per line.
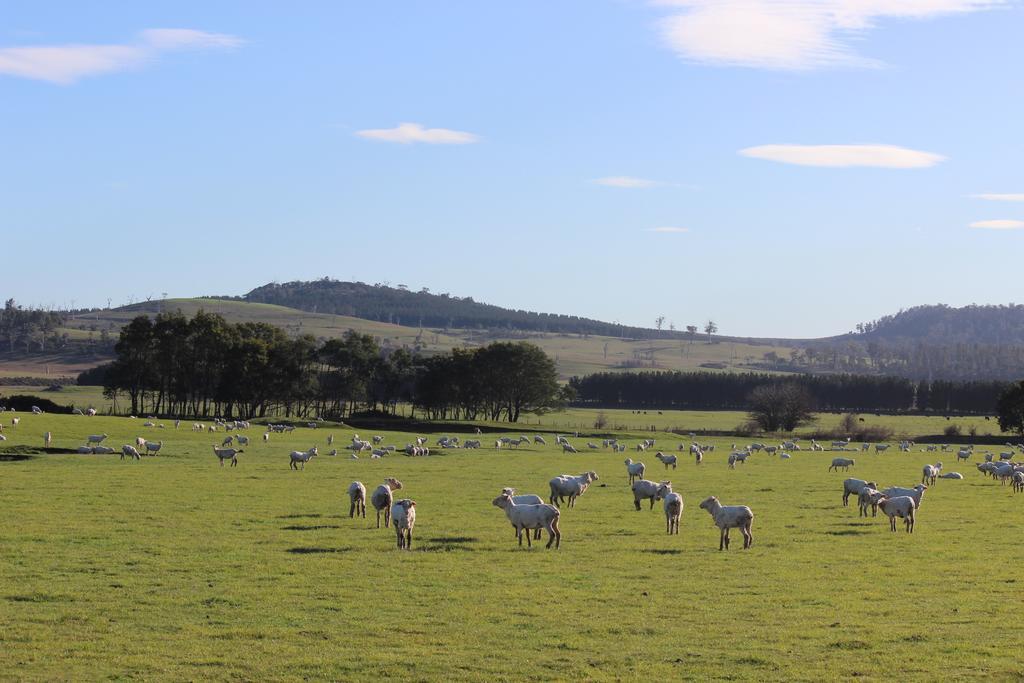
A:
790, 34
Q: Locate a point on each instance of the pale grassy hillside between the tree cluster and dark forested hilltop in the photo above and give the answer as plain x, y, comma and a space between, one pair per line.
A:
575, 354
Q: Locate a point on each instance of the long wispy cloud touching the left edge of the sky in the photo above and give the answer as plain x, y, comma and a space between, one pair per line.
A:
65, 65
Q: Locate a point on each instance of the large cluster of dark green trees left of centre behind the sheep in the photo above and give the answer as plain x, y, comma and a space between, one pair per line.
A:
204, 366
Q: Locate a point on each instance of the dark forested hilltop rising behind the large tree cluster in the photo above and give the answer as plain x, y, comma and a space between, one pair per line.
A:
402, 307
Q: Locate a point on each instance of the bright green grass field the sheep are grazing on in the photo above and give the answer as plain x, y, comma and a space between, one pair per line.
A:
175, 568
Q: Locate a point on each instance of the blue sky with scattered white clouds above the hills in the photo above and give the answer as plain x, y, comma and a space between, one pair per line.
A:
786, 168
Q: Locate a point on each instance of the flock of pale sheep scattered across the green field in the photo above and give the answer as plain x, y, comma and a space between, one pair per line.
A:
532, 515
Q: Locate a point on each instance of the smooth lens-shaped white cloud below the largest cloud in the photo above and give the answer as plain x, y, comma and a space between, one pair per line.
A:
840, 156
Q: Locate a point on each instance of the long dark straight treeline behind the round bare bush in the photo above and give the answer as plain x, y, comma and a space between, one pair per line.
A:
678, 391
